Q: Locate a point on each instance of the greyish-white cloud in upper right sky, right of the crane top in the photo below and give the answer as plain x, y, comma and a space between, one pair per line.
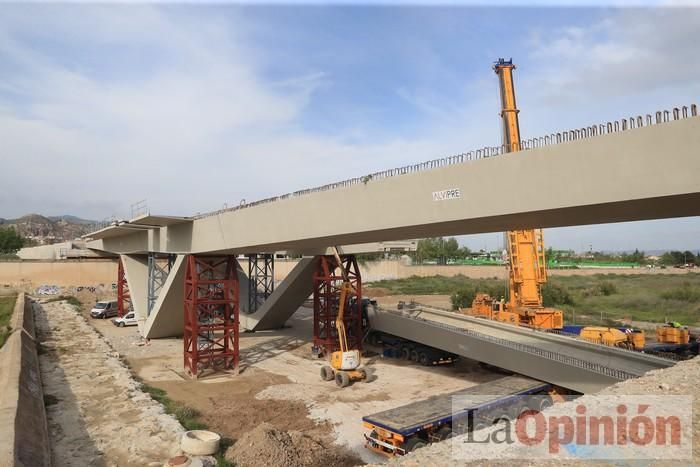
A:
632, 55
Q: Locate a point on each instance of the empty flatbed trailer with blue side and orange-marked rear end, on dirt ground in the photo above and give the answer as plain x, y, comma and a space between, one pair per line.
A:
398, 431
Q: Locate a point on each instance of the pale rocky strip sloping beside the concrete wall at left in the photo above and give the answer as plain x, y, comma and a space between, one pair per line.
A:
97, 415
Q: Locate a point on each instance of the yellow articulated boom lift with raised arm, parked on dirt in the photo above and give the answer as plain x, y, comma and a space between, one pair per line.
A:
345, 363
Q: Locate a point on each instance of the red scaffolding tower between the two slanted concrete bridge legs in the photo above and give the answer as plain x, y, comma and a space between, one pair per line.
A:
211, 314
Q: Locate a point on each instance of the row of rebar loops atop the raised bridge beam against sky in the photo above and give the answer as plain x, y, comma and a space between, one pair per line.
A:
489, 151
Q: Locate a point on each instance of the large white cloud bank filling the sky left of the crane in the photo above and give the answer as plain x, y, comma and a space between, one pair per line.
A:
192, 129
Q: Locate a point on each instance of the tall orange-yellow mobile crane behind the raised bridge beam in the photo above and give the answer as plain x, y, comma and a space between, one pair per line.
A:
527, 267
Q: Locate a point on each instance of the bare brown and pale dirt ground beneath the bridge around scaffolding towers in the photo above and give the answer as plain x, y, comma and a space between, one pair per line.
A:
279, 383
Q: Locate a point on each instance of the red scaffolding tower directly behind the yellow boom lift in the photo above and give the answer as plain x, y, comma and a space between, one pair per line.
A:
327, 281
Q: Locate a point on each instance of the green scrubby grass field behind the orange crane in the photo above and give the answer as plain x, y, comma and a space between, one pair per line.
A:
594, 299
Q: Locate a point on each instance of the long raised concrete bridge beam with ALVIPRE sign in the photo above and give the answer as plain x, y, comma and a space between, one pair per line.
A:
639, 174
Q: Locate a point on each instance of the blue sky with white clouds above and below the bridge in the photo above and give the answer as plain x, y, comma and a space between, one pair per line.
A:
193, 107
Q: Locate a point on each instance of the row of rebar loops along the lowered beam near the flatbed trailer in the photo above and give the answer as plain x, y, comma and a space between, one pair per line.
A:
543, 353
